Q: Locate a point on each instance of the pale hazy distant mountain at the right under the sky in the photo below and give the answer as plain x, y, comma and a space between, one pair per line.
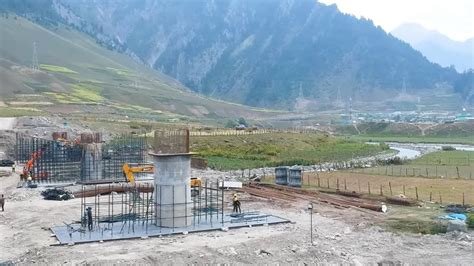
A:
437, 47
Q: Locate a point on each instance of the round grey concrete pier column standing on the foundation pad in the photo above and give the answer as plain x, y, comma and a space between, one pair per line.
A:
172, 196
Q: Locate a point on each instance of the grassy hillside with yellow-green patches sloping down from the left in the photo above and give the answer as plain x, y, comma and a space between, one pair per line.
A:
76, 74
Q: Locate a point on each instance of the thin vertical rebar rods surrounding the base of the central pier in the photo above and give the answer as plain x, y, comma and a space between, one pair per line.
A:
133, 207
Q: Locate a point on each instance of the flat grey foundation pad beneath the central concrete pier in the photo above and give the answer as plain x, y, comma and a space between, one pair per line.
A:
74, 234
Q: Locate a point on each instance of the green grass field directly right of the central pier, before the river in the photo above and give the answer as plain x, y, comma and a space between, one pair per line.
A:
273, 149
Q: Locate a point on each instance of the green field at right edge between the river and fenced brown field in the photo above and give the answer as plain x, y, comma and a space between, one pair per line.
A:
442, 164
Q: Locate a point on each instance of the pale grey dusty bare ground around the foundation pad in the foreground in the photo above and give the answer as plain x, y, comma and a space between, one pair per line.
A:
346, 236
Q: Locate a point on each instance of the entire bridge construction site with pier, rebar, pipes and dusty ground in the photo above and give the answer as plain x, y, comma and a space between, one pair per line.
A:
94, 198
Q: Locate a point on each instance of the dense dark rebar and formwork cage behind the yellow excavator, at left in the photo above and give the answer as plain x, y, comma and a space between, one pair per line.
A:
86, 159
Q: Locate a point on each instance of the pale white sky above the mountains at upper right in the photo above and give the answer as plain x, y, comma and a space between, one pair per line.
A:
453, 18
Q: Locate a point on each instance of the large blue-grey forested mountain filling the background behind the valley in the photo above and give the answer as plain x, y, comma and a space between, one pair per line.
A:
286, 54
